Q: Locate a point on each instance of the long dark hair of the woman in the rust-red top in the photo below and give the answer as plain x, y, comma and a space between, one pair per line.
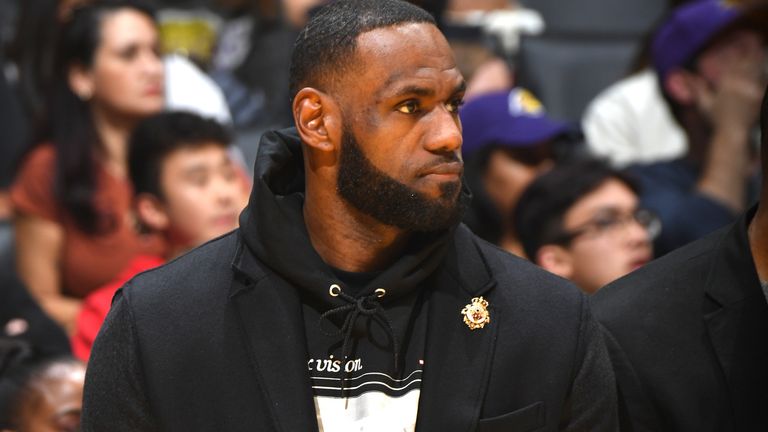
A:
69, 124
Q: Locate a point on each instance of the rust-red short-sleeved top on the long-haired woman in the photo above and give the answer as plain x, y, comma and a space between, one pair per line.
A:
88, 261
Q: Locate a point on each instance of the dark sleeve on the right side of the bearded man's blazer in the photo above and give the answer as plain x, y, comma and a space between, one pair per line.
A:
592, 402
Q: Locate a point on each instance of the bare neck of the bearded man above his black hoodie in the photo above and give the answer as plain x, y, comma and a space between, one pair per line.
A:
349, 240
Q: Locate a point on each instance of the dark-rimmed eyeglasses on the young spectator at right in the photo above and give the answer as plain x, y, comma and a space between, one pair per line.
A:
613, 223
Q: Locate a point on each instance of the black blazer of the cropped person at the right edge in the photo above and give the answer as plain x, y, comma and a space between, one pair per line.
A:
688, 336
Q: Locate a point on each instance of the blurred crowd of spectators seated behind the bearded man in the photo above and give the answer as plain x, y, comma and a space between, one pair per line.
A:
130, 129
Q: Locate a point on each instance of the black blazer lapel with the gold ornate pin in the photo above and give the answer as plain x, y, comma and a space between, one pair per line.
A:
457, 359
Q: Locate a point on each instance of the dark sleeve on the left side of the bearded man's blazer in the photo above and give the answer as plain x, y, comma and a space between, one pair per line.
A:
115, 394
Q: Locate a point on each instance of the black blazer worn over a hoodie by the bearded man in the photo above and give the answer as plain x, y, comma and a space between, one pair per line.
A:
198, 345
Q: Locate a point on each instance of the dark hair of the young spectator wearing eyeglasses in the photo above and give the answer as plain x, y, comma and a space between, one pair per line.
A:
538, 218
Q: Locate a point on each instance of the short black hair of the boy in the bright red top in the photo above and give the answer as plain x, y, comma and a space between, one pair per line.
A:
162, 134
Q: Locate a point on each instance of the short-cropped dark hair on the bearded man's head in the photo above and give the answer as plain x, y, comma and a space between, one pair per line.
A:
325, 48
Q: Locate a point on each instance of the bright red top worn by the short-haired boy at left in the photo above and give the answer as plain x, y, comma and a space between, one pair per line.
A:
97, 304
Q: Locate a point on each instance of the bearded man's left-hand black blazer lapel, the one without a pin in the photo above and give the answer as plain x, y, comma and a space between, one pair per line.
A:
270, 314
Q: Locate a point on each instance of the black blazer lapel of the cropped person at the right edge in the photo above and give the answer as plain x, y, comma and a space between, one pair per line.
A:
737, 323
